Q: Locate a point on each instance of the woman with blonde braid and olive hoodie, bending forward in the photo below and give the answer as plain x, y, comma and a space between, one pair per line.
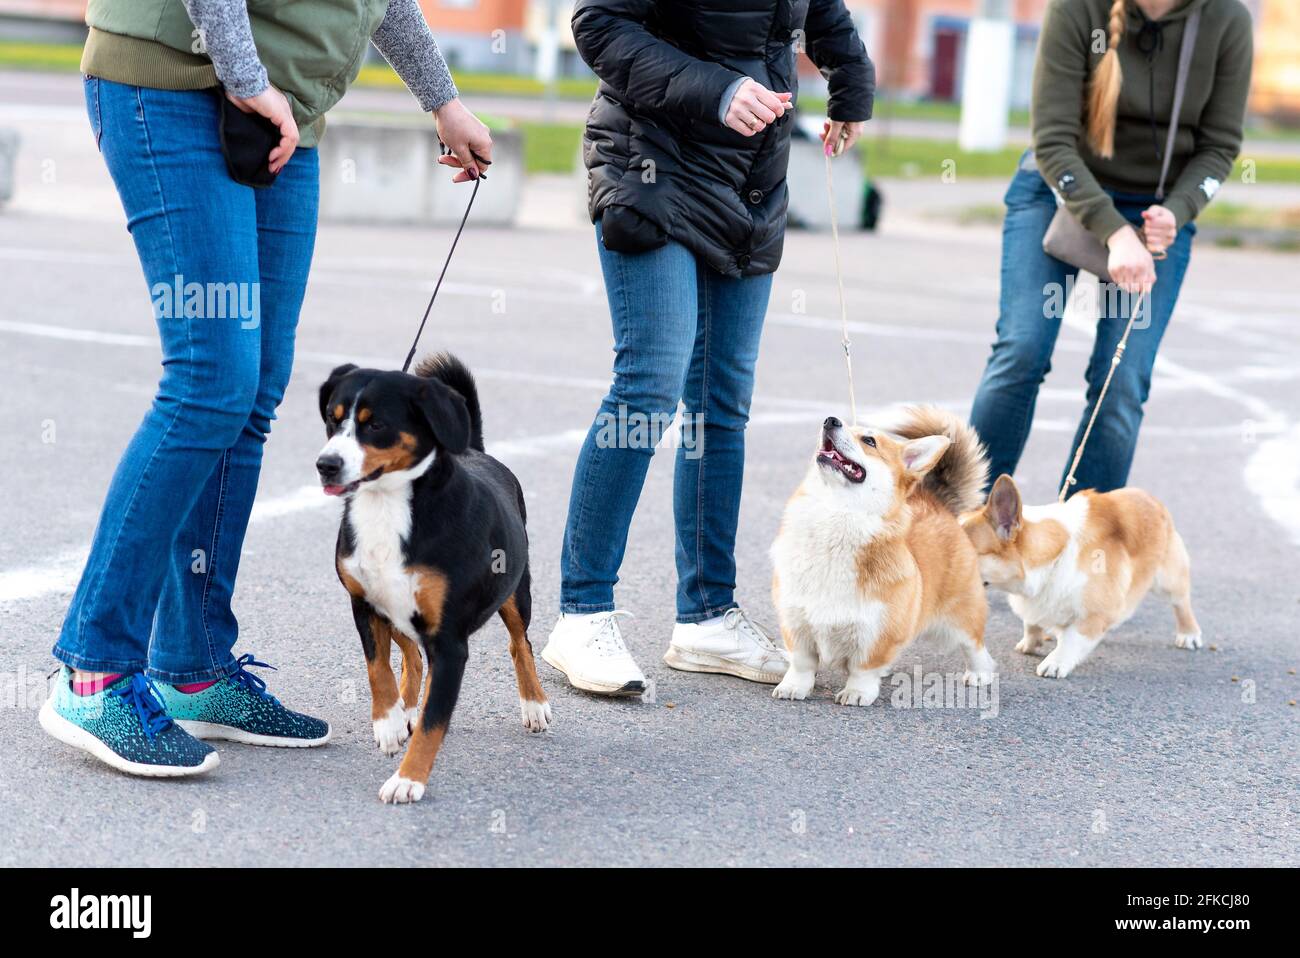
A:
1103, 98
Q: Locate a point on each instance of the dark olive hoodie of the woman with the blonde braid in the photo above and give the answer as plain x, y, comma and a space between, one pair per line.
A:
1210, 127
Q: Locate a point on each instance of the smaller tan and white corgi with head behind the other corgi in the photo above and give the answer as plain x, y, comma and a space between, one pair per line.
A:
1078, 569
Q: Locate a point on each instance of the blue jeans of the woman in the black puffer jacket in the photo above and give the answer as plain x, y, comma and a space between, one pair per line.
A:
682, 333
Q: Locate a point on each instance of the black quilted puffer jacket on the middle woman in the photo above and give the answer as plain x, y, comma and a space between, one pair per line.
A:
661, 163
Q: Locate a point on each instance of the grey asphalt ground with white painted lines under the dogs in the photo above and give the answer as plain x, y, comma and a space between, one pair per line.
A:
1146, 756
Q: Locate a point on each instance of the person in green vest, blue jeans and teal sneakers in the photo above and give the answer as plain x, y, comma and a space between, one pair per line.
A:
148, 641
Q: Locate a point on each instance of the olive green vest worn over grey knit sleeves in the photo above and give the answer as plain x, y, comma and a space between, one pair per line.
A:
313, 51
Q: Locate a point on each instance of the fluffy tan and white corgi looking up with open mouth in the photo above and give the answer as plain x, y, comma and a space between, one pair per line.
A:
870, 554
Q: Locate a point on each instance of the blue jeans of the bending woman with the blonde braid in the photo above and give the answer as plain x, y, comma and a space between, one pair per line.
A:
1034, 293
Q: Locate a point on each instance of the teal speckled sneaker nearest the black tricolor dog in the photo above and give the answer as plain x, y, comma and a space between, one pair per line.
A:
239, 709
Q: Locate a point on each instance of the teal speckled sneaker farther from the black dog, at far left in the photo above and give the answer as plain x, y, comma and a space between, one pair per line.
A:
127, 727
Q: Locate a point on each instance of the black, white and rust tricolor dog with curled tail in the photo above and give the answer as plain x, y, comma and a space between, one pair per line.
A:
431, 547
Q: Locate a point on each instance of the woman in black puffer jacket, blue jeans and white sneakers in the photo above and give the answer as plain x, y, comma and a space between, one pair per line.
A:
687, 148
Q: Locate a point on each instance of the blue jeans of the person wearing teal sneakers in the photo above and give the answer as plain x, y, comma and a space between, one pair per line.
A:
227, 268
